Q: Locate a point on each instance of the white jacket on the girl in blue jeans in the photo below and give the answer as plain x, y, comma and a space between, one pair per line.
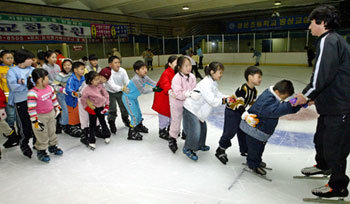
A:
210, 97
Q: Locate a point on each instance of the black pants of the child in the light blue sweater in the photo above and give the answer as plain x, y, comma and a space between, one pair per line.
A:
24, 123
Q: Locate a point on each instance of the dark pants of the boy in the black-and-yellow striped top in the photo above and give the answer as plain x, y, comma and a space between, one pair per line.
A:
231, 127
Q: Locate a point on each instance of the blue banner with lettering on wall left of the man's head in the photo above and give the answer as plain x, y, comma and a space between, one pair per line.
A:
277, 23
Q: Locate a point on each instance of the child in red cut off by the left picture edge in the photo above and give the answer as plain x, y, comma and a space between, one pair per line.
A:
5, 129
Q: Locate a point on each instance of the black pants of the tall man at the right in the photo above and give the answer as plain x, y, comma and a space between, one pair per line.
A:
332, 144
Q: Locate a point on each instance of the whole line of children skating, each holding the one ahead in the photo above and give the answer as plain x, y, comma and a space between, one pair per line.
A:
76, 99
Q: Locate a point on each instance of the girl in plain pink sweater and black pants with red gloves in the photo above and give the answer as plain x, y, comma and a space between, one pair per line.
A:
99, 97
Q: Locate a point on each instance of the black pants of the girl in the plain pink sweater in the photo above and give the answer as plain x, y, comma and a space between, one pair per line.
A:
93, 128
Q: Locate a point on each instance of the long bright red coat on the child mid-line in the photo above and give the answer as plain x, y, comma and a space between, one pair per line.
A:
161, 99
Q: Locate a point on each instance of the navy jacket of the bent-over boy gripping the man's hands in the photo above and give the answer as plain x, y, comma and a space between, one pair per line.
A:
268, 108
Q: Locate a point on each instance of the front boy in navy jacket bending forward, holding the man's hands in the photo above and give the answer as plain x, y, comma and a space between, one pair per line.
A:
267, 108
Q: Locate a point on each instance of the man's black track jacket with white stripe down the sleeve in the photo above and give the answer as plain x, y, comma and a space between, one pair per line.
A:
329, 86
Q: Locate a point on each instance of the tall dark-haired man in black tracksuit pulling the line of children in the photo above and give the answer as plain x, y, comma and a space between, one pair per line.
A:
329, 88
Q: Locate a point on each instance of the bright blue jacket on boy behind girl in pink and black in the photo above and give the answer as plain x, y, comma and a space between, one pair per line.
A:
73, 85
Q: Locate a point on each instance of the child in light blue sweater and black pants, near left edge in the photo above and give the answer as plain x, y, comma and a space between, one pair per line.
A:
16, 80
